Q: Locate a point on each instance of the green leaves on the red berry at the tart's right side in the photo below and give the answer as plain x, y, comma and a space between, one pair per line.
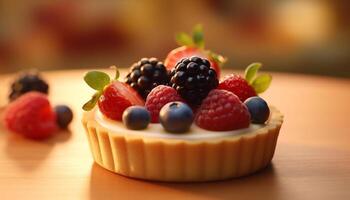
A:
260, 82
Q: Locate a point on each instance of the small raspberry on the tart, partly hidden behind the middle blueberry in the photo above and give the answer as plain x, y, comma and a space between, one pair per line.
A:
158, 97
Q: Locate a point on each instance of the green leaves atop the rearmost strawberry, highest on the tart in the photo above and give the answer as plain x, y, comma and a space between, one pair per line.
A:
196, 39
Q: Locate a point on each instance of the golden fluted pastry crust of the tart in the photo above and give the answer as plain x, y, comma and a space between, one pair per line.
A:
176, 160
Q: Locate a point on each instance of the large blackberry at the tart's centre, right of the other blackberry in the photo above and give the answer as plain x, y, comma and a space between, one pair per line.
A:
193, 78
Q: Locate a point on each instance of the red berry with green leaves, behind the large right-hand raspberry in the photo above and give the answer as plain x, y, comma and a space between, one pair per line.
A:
248, 86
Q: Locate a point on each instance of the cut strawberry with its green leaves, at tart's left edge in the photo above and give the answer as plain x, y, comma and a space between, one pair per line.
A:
113, 97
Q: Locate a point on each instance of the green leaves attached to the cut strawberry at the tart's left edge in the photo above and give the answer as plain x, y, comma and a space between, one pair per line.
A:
97, 80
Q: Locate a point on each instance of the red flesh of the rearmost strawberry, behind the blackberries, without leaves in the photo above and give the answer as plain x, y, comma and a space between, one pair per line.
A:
186, 52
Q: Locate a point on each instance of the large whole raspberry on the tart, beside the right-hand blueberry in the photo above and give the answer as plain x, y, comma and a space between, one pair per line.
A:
222, 110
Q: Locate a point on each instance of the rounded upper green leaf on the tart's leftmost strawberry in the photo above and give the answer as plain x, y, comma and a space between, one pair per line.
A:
97, 80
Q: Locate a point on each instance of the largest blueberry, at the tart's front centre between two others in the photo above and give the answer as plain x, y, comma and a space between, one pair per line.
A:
176, 117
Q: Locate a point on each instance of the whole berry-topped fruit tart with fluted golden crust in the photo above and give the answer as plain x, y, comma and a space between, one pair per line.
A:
181, 123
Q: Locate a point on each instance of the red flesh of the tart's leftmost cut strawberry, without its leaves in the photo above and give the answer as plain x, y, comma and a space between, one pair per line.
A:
116, 97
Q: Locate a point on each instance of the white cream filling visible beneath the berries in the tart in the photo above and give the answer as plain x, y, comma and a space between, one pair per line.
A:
156, 130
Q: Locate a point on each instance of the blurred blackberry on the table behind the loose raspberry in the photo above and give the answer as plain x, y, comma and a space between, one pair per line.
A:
26, 82
